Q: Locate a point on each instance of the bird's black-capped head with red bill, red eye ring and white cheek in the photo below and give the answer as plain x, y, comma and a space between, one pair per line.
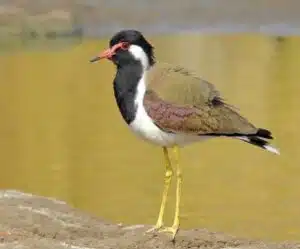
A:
121, 51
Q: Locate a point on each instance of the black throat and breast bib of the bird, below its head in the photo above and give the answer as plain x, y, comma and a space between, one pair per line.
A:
125, 89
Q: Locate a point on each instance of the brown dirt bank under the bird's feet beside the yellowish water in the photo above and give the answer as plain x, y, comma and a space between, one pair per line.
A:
28, 221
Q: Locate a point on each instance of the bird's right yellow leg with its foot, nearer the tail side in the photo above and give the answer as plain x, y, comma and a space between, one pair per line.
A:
174, 229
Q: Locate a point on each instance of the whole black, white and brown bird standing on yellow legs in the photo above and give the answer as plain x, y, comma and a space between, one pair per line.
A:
171, 106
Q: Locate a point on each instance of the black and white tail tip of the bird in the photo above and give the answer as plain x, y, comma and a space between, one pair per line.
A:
258, 139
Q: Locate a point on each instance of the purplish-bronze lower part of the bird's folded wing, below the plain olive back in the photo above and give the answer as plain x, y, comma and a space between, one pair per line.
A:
218, 119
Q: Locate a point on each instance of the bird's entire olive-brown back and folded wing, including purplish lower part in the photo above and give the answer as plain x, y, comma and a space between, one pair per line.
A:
180, 102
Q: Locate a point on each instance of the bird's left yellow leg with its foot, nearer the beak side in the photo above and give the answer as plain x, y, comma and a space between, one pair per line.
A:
167, 181
